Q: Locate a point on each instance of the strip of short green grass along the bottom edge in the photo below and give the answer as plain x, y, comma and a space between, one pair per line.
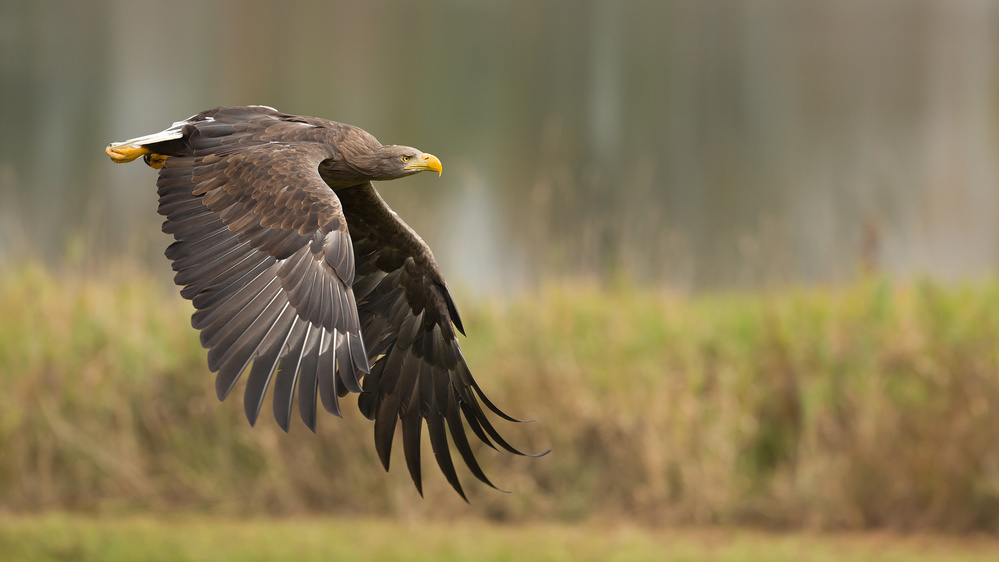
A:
188, 538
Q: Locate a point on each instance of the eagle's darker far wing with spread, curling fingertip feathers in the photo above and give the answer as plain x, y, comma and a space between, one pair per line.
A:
409, 322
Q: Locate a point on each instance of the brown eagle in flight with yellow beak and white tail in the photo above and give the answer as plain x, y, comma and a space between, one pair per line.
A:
304, 278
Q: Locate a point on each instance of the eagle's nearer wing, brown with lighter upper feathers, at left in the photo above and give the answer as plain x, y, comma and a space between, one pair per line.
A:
262, 250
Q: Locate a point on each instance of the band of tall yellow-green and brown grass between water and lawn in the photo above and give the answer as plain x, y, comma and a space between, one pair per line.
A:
873, 406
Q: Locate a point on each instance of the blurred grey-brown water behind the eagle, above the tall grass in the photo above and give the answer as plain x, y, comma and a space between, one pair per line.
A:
695, 145
